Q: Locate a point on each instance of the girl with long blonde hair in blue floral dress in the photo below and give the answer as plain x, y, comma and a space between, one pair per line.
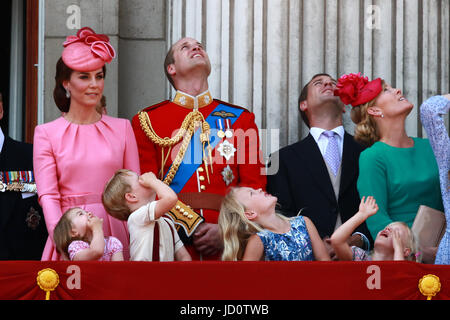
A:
253, 231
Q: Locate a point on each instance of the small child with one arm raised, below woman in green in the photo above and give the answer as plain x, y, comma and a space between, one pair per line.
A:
394, 242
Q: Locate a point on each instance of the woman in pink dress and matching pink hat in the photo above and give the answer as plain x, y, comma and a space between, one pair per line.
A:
76, 154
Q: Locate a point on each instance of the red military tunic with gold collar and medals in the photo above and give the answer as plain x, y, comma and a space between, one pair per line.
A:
246, 163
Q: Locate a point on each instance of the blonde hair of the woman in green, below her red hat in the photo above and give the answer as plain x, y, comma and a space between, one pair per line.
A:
366, 130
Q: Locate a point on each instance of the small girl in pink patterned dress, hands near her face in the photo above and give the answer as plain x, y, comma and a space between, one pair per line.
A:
79, 235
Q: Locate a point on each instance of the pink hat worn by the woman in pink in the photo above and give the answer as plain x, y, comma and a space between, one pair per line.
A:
87, 51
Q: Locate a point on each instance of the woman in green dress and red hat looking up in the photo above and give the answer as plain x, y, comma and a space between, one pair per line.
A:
399, 171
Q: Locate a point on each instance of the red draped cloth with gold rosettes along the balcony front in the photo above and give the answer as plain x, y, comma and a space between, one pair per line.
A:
302, 280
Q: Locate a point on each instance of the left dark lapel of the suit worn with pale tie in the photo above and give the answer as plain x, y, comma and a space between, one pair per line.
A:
313, 161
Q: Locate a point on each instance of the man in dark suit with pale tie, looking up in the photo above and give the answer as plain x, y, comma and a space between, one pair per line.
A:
311, 177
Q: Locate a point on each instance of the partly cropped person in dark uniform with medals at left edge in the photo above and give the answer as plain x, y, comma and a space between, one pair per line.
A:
22, 226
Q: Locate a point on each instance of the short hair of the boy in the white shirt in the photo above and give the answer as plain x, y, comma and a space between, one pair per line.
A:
113, 196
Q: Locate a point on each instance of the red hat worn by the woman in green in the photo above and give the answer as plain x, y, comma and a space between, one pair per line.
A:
356, 90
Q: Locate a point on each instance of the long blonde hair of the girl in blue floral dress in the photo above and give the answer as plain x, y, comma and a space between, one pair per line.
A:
235, 227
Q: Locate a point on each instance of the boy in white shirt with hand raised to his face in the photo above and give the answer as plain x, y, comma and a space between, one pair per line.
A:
132, 198
